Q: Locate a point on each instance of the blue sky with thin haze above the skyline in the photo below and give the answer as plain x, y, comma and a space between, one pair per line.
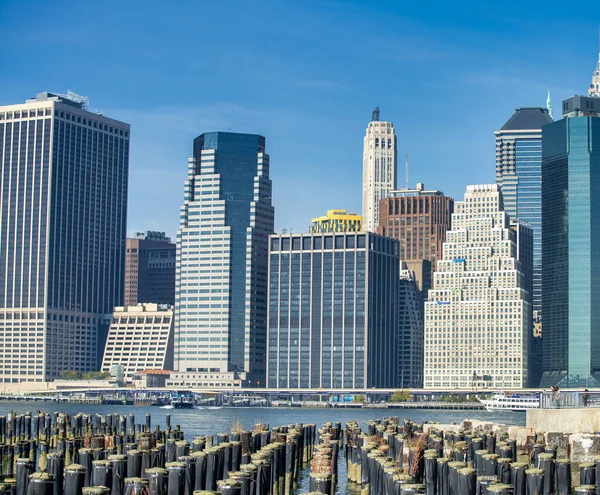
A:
305, 74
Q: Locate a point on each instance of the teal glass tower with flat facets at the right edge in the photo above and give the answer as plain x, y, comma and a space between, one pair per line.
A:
571, 246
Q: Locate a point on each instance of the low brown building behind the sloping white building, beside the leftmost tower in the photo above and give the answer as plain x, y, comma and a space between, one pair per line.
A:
149, 269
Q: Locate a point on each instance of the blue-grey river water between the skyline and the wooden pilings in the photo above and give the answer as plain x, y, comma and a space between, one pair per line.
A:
210, 421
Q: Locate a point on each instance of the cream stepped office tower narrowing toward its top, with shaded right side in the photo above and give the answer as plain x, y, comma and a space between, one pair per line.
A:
478, 317
